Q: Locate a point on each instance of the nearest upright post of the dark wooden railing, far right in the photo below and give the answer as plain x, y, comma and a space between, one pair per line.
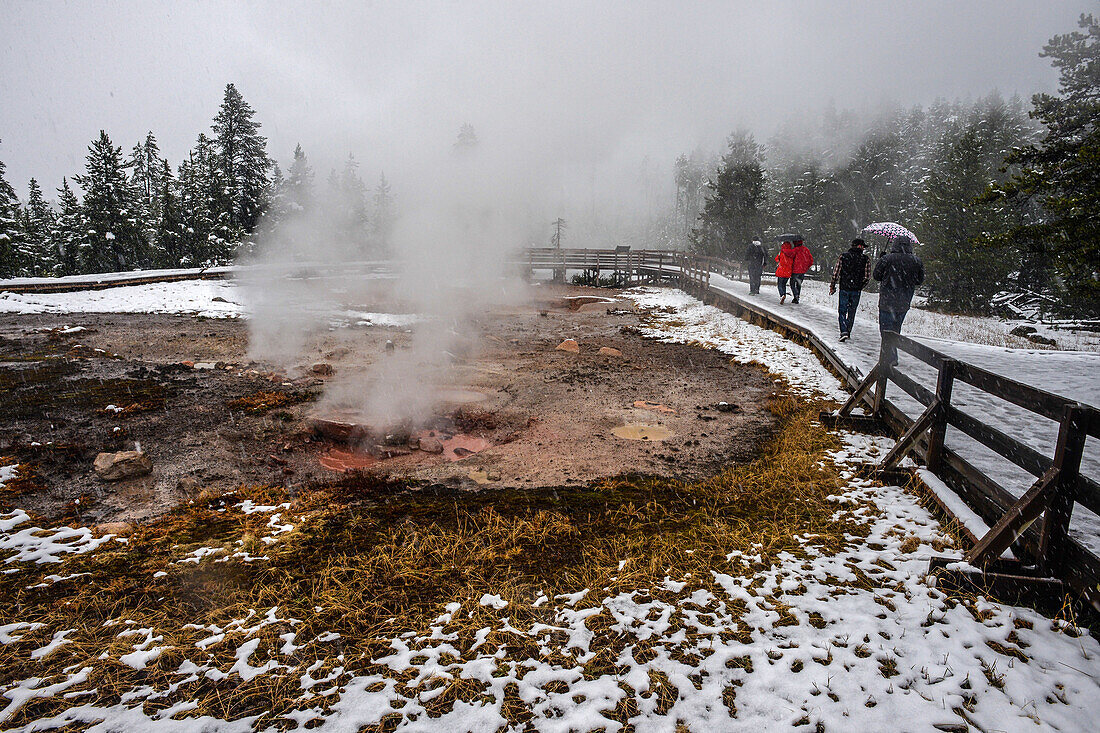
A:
1068, 463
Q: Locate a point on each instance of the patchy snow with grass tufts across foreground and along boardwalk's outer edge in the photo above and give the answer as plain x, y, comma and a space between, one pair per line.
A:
855, 640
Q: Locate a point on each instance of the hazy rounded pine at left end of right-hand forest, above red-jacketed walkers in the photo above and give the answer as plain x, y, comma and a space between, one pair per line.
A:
734, 212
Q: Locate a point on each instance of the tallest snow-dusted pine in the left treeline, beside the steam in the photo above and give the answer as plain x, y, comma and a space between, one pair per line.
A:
243, 156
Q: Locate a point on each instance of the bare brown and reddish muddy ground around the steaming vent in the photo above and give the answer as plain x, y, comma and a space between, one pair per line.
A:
515, 411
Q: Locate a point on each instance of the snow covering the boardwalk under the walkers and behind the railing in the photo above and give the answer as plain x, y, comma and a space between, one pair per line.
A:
1072, 375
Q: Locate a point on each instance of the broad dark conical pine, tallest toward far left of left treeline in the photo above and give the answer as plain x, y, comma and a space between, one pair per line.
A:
115, 242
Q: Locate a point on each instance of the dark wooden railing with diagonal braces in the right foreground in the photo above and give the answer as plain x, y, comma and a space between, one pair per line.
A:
1060, 484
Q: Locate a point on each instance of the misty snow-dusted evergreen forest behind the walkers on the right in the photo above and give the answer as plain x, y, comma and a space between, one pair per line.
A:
1004, 199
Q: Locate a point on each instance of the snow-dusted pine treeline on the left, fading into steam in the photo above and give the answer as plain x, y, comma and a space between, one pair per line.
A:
136, 212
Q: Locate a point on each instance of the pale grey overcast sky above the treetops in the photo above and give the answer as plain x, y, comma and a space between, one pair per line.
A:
585, 84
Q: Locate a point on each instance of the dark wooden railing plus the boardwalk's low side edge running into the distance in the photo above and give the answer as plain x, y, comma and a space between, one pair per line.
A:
1062, 484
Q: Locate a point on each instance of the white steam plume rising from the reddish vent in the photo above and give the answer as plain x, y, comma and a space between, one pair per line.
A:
450, 254
